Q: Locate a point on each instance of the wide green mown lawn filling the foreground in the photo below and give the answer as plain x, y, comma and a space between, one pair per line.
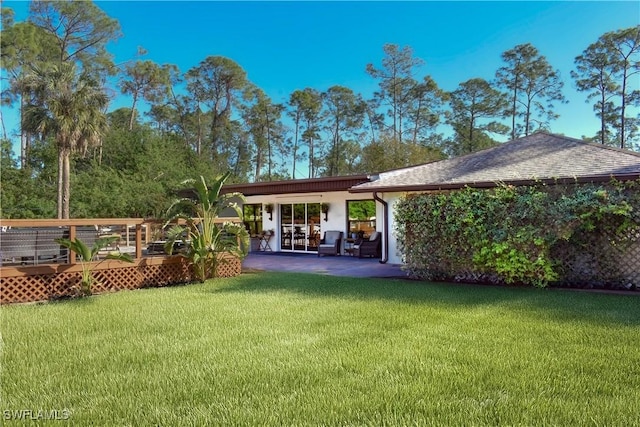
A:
295, 349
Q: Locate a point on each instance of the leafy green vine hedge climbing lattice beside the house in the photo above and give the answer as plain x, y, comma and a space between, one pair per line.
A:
512, 235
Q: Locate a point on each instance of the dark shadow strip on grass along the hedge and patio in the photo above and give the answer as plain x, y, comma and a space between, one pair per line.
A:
551, 304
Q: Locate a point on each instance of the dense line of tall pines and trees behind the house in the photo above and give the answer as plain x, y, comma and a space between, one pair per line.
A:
209, 119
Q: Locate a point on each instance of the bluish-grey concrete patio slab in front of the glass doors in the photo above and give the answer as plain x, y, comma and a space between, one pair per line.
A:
330, 265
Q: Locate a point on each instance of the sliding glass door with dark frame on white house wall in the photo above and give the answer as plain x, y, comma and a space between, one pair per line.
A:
300, 227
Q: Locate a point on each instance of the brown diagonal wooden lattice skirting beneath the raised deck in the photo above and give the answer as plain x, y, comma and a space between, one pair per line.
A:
38, 283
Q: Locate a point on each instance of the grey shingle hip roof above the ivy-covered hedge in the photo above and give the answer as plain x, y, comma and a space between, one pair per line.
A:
538, 157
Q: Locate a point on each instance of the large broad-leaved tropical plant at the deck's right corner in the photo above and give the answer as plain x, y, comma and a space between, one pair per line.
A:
206, 237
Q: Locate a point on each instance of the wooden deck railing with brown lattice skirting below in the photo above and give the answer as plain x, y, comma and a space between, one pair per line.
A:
35, 267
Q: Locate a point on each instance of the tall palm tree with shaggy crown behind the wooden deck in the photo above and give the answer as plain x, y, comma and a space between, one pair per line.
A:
70, 107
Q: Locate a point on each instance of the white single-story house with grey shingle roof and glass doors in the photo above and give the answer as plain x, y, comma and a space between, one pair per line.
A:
293, 212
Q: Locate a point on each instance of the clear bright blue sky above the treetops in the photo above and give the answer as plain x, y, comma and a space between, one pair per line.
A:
284, 46
